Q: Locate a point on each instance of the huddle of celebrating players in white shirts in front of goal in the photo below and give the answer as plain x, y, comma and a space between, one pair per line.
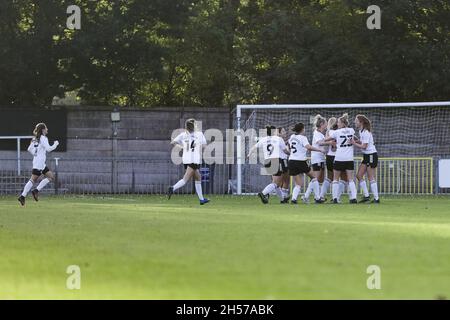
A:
332, 160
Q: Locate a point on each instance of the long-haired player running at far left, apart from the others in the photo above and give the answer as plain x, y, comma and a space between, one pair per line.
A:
39, 147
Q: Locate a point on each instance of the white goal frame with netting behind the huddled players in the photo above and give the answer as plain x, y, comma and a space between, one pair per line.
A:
406, 156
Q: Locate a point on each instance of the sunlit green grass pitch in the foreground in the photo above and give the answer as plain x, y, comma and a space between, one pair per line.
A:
233, 248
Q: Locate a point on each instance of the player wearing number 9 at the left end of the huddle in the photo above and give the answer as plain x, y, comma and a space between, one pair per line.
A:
272, 146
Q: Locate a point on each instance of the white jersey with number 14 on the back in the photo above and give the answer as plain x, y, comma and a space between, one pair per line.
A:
192, 143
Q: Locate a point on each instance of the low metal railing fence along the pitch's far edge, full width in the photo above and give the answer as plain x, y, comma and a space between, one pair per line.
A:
140, 176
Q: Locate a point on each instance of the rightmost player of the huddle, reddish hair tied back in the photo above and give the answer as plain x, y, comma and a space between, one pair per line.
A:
370, 158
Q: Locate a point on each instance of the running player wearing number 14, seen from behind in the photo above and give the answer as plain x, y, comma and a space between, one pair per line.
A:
192, 142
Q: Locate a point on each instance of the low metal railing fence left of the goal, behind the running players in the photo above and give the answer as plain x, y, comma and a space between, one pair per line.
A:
109, 176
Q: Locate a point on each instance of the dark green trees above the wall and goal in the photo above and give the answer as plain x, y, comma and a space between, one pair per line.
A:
223, 52
